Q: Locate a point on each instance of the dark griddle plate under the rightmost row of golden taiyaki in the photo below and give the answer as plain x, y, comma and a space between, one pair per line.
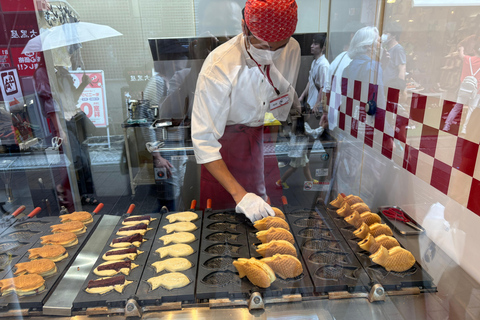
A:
414, 277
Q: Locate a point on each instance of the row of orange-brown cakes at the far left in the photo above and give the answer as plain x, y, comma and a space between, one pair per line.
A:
29, 276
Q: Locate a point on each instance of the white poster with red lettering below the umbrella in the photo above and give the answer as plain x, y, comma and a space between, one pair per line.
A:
93, 99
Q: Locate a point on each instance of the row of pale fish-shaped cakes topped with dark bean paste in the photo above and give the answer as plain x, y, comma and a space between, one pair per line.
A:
119, 262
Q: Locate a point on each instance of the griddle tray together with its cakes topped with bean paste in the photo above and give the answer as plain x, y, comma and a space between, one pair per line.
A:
116, 274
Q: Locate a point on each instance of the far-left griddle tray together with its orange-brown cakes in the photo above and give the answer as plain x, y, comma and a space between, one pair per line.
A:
47, 248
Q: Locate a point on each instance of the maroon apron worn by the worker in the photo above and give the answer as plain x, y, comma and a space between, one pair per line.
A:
242, 151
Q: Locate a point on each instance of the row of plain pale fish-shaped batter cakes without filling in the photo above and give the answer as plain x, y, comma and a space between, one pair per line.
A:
179, 232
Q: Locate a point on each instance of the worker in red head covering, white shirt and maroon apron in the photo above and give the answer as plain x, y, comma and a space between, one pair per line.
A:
251, 74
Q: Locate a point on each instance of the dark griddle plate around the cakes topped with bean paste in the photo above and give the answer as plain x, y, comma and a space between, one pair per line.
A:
114, 299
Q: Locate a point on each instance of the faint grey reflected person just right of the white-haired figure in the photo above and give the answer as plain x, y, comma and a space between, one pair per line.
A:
394, 60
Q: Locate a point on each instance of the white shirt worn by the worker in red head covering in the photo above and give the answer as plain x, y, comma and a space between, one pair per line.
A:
232, 90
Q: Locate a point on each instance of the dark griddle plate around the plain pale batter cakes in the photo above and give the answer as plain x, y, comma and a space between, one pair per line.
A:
145, 295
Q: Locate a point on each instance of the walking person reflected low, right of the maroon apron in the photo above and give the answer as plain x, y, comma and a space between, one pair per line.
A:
298, 148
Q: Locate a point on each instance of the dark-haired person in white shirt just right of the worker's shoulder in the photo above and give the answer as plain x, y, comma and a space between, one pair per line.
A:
317, 76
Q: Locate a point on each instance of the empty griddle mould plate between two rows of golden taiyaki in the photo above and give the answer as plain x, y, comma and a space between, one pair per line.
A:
330, 261
